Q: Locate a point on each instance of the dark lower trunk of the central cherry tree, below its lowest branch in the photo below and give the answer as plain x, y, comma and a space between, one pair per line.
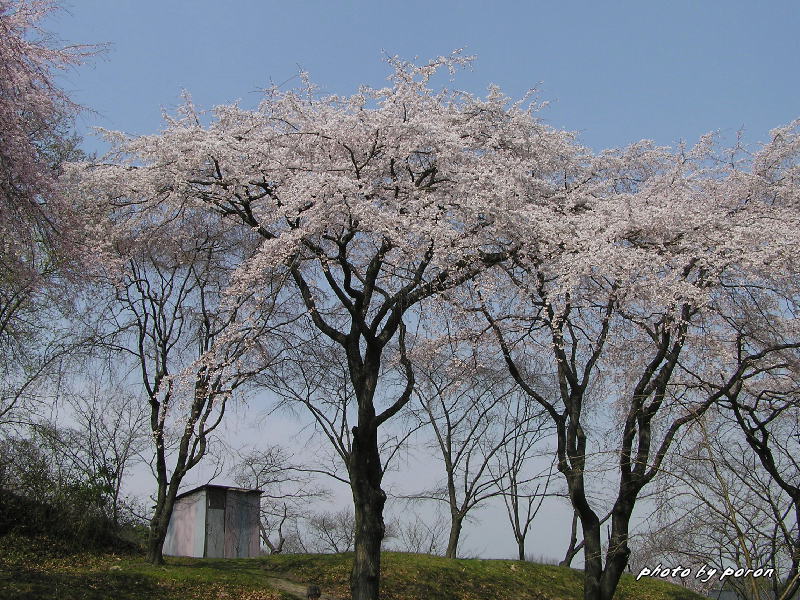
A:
368, 501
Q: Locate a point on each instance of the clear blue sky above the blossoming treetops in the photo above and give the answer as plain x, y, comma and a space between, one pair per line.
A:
616, 71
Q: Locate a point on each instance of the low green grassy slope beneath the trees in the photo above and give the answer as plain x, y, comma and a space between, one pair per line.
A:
42, 570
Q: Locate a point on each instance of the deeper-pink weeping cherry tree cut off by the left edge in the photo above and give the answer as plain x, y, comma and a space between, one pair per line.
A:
39, 236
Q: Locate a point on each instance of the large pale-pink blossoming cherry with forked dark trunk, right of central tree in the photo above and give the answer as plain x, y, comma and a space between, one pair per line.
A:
632, 302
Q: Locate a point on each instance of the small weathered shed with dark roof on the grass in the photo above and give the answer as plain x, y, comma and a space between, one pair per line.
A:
214, 521
